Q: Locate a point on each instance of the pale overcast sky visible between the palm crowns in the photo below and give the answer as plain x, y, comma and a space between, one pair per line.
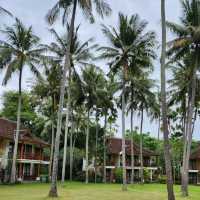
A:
32, 12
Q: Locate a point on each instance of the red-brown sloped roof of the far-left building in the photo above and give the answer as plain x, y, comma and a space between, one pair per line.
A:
8, 129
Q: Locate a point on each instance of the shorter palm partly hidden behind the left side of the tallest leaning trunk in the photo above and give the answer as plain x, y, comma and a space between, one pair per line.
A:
47, 87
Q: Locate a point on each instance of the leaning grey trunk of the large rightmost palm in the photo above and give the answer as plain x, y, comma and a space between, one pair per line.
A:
188, 135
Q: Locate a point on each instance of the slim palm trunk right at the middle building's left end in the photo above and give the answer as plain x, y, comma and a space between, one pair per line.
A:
104, 148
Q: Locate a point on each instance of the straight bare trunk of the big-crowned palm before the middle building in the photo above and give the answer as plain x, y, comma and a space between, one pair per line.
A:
124, 186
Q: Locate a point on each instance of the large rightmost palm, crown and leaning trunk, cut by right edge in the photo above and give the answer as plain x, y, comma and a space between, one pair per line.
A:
187, 43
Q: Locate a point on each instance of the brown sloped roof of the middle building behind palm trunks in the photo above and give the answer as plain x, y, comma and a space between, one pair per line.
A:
114, 146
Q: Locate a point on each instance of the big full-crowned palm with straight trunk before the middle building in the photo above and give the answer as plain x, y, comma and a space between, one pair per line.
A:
127, 43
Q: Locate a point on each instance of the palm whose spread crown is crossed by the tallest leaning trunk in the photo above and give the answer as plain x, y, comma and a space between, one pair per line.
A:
80, 55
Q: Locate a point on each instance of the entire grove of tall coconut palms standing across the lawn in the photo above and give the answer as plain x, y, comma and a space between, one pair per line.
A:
68, 64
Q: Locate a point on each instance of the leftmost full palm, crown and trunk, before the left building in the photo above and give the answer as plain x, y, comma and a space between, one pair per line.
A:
18, 50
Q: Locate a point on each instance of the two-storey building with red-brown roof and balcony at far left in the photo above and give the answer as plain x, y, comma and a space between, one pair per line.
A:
31, 161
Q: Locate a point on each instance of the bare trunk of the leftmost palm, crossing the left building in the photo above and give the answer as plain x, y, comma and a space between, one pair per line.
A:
13, 169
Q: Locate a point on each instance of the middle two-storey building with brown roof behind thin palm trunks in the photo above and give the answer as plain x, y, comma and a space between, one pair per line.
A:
114, 160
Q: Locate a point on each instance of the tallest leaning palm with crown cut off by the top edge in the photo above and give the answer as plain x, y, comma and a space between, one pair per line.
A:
86, 6
